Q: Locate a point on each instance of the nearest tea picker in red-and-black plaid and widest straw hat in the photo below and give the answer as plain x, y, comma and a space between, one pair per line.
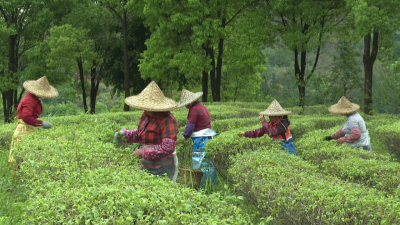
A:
157, 132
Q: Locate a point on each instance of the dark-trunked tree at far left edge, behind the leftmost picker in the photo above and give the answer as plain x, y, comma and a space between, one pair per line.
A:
29, 22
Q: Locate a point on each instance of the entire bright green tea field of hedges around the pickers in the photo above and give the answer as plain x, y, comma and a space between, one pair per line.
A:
75, 174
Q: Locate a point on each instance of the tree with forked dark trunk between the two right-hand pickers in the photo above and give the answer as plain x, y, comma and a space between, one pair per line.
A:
303, 26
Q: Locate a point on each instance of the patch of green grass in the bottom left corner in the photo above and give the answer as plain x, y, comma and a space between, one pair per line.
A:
12, 193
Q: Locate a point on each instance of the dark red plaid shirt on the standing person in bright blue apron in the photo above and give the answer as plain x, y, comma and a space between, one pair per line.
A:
200, 116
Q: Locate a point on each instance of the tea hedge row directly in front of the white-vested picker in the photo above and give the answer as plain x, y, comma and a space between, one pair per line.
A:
355, 165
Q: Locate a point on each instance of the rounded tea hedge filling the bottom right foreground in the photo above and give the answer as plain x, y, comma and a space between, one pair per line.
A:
285, 187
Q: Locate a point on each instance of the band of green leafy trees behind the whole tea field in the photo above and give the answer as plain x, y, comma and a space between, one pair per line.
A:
304, 52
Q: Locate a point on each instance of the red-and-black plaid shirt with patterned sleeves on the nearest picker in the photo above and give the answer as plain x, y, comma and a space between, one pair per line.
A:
160, 132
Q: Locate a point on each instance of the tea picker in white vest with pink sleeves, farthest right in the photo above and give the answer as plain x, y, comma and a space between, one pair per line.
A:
354, 131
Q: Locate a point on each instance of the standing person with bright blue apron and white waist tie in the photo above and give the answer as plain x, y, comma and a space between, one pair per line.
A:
199, 129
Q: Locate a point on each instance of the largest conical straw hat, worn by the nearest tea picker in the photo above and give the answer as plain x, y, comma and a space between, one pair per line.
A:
151, 99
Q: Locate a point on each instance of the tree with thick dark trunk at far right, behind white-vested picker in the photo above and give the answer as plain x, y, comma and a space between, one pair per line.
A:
375, 22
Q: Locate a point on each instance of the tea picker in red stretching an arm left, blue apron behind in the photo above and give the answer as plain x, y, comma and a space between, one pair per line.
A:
277, 128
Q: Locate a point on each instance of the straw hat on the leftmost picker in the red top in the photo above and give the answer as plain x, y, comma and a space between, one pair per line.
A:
41, 88
